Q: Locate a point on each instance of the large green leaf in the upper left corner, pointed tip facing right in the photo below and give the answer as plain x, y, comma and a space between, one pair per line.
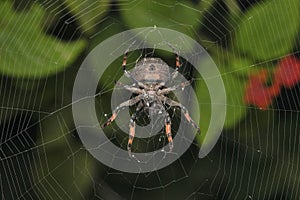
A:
25, 51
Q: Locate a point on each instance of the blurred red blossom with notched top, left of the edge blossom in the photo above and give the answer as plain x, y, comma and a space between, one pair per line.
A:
258, 93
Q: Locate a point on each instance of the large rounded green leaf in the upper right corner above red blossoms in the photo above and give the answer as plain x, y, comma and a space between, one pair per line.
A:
269, 29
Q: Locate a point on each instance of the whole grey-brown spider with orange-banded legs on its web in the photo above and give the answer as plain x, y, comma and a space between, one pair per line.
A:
149, 78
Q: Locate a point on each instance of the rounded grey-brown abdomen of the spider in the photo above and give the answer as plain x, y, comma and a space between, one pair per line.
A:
151, 71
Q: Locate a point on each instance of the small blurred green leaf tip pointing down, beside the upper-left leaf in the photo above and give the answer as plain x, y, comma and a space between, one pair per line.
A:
88, 12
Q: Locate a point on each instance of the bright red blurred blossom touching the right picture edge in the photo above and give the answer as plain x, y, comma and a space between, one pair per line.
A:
287, 73
